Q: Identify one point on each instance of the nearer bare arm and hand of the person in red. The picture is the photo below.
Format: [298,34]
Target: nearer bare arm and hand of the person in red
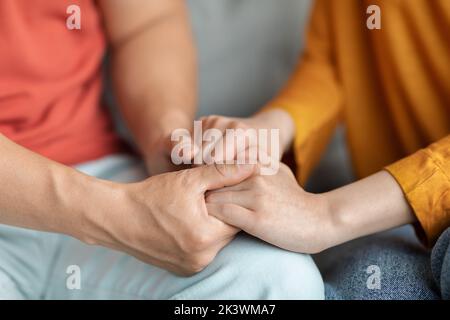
[40,194]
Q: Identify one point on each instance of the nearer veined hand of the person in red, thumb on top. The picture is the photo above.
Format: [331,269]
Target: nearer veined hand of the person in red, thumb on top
[164,221]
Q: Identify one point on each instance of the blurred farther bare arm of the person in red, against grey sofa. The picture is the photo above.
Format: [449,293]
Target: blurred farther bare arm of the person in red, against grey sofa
[154,70]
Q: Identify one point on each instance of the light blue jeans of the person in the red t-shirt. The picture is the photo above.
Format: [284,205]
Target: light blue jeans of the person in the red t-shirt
[38,265]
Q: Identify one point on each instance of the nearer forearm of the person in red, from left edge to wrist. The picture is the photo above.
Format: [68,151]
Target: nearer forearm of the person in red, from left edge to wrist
[40,194]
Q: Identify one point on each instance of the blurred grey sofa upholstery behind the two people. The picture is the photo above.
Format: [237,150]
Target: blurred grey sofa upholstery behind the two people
[247,50]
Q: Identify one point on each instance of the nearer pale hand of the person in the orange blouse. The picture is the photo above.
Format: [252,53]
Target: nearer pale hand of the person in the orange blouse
[275,209]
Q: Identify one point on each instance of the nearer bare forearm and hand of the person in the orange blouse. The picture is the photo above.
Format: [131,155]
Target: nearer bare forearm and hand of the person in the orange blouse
[277,210]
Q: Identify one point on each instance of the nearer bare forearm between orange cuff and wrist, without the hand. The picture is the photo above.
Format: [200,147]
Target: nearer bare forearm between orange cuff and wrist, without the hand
[368,206]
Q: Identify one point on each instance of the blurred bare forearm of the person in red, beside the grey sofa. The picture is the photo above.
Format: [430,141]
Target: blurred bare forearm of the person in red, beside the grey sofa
[154,70]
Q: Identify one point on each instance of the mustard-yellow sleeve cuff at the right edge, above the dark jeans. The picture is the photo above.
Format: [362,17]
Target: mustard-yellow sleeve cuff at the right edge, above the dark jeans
[425,180]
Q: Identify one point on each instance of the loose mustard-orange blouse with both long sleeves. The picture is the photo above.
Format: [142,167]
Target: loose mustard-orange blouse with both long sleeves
[391,87]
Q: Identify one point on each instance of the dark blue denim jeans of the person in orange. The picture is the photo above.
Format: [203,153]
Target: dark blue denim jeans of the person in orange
[389,265]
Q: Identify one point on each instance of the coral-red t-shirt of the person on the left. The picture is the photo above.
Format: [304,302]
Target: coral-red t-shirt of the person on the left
[51,82]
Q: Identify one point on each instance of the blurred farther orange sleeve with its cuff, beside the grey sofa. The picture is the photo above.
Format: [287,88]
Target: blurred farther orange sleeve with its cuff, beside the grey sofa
[312,96]
